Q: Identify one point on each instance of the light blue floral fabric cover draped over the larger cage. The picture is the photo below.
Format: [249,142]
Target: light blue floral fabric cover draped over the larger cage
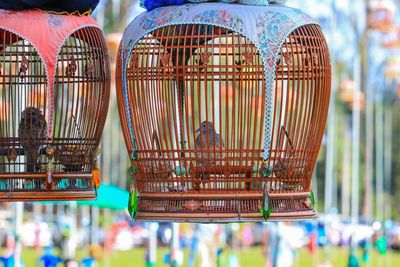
[266,27]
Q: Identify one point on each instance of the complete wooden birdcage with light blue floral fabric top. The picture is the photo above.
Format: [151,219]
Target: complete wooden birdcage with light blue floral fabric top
[223,109]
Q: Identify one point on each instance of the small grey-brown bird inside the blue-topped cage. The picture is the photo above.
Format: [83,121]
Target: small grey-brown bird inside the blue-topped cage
[208,145]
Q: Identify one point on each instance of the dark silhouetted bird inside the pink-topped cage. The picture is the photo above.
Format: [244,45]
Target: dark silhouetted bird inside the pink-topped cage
[32,131]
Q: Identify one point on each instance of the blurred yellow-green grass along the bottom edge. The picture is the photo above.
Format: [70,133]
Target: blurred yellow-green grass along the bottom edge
[249,257]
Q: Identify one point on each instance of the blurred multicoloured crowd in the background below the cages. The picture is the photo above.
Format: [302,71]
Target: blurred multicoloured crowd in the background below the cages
[204,243]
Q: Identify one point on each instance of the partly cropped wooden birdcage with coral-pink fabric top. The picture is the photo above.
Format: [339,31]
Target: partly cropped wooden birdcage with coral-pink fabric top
[54,91]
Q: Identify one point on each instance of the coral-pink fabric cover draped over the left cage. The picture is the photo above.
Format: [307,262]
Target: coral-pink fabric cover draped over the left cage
[47,36]
